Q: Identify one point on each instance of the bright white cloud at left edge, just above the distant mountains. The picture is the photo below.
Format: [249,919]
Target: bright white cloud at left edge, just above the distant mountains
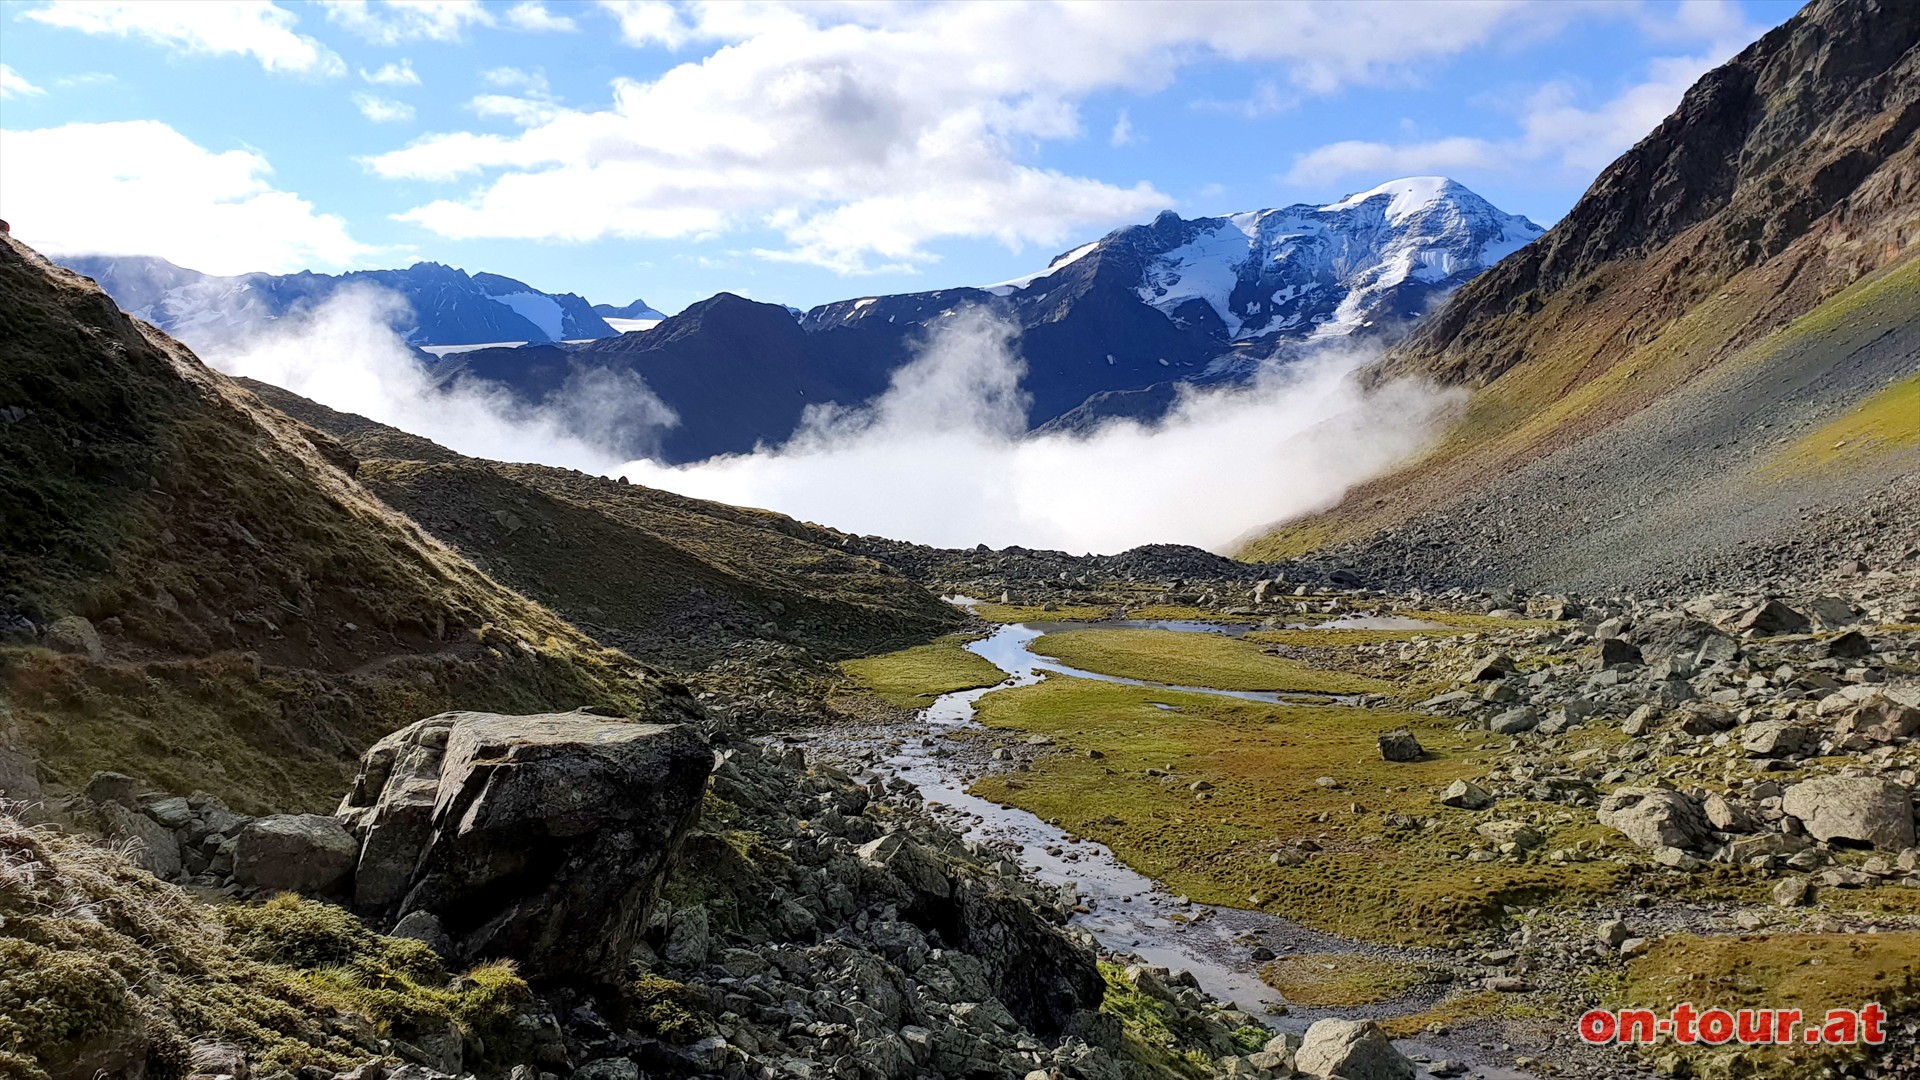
[145,189]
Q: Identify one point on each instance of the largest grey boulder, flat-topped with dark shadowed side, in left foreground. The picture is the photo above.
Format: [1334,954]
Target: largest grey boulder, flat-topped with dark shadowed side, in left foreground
[540,839]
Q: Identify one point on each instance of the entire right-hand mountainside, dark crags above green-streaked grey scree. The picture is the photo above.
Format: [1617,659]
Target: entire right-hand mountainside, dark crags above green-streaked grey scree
[1714,347]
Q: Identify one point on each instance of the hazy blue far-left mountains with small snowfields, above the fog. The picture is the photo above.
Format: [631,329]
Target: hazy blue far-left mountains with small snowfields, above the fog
[444,307]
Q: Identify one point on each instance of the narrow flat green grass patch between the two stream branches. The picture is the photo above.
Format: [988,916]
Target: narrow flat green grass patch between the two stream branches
[1195,660]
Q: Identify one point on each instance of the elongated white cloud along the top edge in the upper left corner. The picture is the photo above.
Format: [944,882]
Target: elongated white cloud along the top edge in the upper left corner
[243,28]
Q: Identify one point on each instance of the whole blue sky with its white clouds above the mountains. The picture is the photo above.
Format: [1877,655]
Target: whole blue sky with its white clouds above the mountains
[792,153]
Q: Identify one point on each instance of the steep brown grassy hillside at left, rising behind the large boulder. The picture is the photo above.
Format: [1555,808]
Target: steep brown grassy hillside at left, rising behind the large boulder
[260,616]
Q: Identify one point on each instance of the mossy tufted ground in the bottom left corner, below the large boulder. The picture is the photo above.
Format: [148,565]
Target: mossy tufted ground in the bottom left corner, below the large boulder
[97,952]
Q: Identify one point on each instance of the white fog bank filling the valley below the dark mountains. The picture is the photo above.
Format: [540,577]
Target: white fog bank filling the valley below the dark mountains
[942,458]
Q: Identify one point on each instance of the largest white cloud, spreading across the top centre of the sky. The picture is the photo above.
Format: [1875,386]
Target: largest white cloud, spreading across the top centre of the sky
[863,134]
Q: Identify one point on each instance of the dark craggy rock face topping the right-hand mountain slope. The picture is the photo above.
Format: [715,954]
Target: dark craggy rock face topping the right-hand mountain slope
[1758,151]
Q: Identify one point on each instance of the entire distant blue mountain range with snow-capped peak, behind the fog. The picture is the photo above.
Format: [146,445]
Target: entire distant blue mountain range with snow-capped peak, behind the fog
[1107,330]
